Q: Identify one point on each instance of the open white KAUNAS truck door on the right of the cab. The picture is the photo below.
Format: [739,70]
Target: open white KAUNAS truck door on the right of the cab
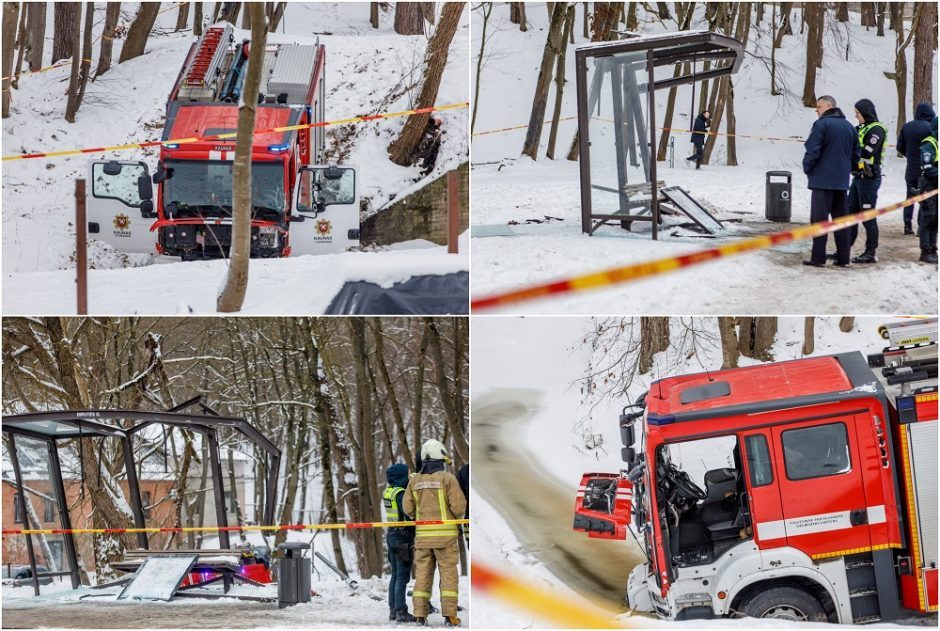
[326,218]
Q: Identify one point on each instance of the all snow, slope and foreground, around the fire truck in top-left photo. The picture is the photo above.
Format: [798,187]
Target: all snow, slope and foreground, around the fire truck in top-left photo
[368,71]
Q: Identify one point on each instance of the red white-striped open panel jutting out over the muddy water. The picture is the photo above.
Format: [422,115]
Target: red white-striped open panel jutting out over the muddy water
[604,505]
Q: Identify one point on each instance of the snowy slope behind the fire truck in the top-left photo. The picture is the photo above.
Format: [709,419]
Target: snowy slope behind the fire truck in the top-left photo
[367,71]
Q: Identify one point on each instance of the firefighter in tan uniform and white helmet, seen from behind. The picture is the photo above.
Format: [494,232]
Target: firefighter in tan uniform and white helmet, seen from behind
[432,495]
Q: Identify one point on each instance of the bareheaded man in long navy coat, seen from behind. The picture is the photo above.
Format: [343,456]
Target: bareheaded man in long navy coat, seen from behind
[832,154]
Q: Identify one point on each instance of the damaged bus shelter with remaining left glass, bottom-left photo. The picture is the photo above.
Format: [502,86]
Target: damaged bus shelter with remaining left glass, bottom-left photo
[45,432]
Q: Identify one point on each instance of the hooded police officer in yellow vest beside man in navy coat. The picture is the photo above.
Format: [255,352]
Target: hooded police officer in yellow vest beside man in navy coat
[866,180]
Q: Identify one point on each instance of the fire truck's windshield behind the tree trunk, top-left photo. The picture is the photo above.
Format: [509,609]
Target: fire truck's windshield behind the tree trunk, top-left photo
[199,188]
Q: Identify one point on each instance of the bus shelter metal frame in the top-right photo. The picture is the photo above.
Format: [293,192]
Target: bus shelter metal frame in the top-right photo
[667,49]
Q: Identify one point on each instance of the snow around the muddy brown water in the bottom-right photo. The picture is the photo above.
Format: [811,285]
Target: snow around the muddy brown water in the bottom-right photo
[562,437]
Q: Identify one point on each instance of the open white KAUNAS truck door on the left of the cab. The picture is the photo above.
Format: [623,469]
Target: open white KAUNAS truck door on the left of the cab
[116,212]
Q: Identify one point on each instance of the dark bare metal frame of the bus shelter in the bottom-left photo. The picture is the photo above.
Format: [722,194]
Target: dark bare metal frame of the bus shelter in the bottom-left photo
[88,423]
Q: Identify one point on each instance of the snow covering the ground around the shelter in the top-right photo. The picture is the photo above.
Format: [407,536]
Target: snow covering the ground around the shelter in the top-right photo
[508,188]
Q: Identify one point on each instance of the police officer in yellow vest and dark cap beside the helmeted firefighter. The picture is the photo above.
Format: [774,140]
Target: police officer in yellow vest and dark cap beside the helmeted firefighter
[399,541]
